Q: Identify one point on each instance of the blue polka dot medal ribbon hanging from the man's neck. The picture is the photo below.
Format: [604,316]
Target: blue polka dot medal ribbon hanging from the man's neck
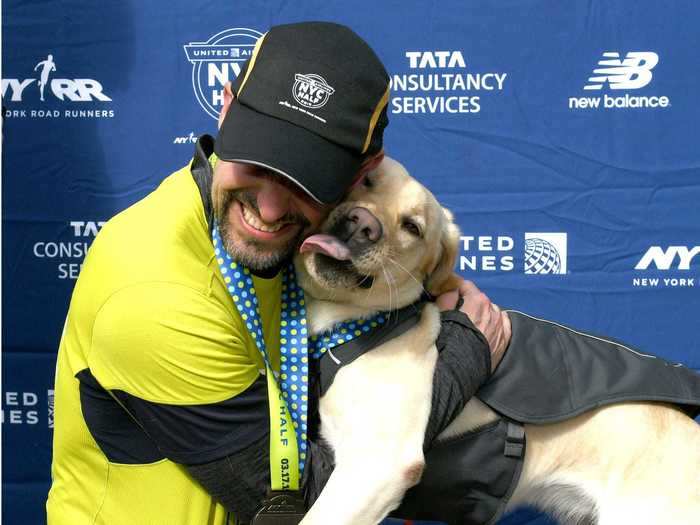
[294,360]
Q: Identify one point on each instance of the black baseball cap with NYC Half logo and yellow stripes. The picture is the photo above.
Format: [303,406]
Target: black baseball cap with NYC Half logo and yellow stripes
[311,104]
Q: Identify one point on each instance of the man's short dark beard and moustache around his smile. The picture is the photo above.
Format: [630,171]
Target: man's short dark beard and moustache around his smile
[253,253]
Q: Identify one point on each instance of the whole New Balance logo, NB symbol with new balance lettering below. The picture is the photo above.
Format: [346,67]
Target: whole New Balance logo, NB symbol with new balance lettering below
[617,73]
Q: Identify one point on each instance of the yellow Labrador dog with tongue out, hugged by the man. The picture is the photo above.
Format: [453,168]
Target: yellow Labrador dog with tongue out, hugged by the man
[638,463]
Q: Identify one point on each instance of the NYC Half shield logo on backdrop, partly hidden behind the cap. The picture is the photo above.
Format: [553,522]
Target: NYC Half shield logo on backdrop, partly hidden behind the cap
[217,61]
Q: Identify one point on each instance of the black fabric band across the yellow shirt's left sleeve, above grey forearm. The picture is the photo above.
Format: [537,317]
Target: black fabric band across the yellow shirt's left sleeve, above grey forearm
[135,431]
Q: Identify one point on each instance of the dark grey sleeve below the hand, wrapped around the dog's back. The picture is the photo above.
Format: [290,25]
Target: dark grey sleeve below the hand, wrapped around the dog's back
[463,365]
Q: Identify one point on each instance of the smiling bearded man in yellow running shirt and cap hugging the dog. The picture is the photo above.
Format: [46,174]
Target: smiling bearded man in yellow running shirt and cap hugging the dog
[161,407]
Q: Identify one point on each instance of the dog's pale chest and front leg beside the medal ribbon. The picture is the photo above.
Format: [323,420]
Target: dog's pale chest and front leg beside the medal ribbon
[374,417]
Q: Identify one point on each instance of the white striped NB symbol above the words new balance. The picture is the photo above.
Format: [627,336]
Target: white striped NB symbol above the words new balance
[633,72]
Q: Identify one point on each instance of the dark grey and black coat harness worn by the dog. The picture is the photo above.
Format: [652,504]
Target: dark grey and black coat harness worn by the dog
[550,373]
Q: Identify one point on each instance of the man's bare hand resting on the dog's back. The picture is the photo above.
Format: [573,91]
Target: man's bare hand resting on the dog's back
[486,316]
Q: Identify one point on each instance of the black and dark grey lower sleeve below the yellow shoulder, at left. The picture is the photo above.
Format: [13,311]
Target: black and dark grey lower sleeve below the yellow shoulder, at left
[224,446]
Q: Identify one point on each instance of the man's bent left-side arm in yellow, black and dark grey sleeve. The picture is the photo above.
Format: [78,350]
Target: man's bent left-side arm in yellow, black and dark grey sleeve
[183,385]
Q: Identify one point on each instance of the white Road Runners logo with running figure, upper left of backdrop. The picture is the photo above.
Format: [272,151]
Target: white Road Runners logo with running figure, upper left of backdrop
[41,96]
